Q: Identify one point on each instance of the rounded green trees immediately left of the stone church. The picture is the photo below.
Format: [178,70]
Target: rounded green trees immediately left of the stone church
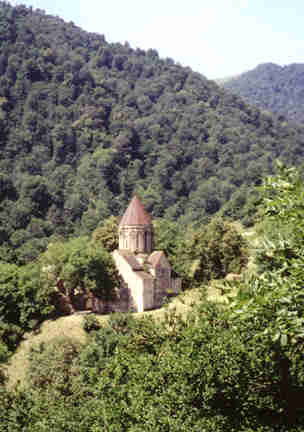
[29,295]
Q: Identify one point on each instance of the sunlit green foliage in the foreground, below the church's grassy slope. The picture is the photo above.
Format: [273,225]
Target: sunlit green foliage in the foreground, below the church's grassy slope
[237,368]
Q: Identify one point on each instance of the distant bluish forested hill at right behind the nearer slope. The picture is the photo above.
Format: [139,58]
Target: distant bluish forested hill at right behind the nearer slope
[279,89]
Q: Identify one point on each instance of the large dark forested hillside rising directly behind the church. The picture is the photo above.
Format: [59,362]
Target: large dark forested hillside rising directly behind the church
[85,123]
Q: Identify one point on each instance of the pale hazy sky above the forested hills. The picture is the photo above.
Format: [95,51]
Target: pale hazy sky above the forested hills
[218,38]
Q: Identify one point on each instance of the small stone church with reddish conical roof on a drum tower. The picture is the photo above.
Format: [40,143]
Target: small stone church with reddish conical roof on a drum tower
[145,274]
